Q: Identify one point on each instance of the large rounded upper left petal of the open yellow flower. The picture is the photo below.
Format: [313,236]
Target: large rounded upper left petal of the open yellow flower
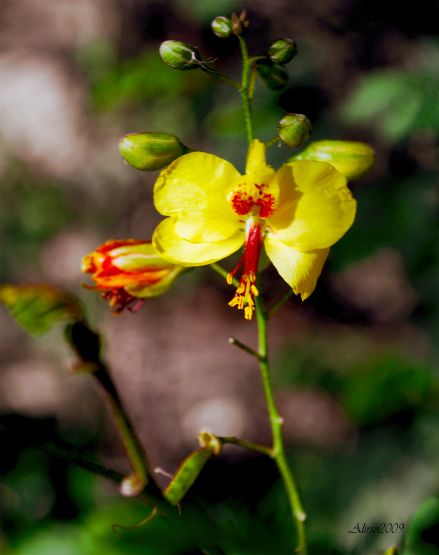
[192,190]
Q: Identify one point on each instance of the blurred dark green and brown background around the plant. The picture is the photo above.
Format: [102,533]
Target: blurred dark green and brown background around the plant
[355,366]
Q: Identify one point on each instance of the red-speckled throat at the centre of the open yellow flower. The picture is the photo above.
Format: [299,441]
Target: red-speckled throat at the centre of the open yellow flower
[247,197]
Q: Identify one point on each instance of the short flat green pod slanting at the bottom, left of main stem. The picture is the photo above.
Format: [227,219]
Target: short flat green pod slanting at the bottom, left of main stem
[186,475]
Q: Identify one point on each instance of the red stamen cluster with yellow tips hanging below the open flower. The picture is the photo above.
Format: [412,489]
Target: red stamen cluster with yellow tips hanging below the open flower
[246,291]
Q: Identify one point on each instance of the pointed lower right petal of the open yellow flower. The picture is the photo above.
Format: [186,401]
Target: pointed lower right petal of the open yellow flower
[299,269]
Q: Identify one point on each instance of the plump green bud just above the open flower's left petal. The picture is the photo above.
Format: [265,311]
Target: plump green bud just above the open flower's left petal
[150,151]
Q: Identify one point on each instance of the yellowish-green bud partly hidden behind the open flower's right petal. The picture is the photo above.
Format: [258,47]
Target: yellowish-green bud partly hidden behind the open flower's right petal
[352,159]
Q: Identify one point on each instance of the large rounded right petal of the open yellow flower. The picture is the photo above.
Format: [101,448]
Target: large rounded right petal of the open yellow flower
[315,207]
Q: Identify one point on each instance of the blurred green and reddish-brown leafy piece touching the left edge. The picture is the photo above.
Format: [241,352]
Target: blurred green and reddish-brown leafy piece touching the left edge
[38,308]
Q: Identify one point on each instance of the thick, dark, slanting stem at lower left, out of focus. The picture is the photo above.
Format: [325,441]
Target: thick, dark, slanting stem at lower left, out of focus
[131,442]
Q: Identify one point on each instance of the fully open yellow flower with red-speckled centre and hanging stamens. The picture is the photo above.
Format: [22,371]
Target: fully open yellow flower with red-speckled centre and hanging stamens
[297,213]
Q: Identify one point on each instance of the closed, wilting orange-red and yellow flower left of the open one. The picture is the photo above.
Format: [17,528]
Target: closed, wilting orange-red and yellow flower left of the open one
[127,271]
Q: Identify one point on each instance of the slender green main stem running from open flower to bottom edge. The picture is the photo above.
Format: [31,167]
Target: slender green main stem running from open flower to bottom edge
[276,421]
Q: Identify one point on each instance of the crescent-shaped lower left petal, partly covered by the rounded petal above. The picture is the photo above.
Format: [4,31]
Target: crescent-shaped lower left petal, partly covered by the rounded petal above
[174,248]
